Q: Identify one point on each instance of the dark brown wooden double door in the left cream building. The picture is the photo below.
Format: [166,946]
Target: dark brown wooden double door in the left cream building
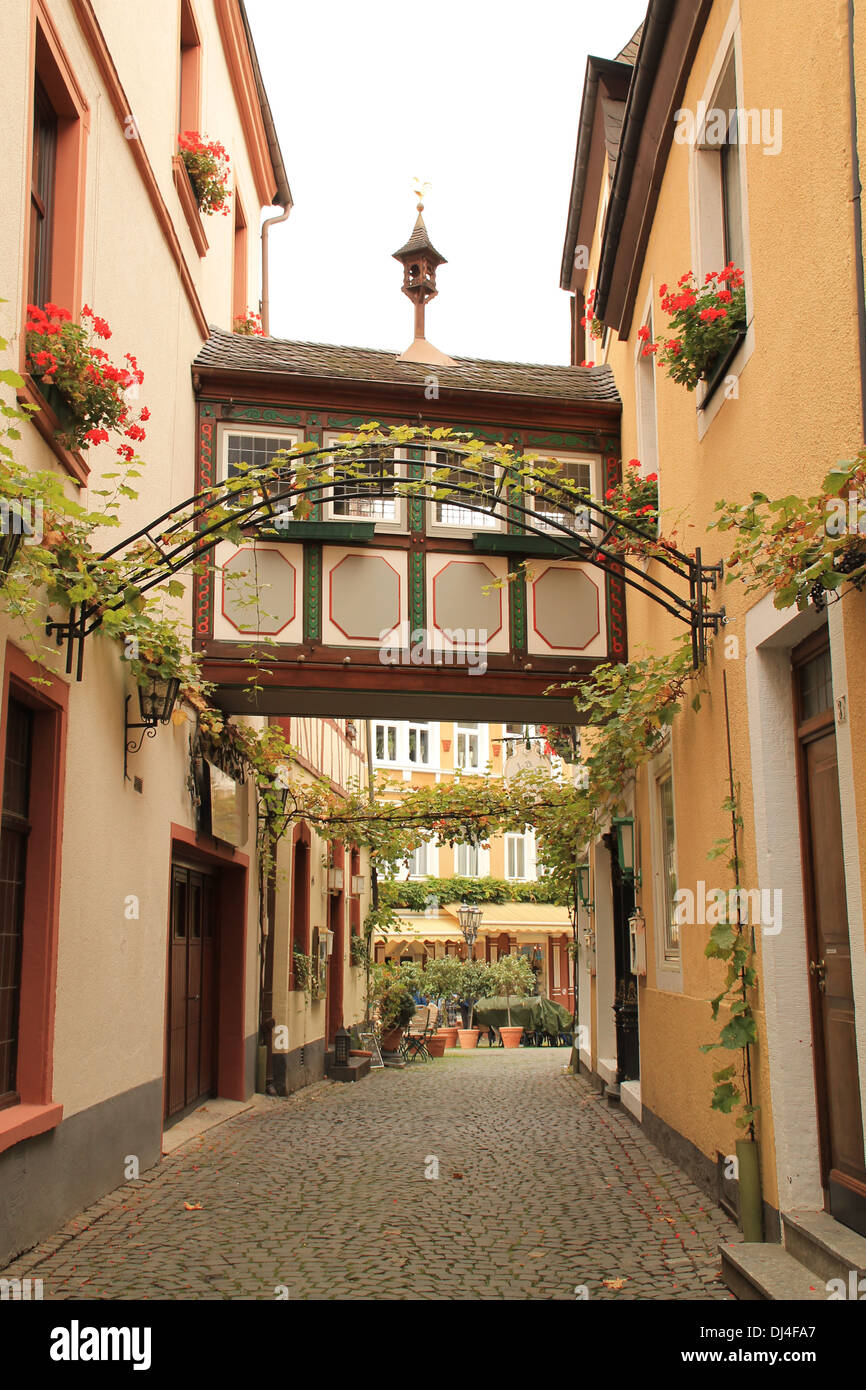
[191,1049]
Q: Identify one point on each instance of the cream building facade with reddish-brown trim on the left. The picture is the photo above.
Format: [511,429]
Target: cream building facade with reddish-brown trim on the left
[133,929]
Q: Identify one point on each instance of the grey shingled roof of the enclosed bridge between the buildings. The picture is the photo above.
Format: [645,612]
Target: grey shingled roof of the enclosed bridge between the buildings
[279,357]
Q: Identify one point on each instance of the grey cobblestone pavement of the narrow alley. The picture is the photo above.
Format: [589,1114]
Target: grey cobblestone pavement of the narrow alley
[541,1189]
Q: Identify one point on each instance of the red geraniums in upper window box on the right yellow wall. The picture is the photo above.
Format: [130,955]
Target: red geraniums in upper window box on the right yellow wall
[705,322]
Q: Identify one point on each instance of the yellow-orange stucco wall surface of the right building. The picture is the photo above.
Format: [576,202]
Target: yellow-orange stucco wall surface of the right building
[797,412]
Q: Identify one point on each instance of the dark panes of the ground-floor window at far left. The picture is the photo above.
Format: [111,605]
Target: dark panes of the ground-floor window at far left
[13,875]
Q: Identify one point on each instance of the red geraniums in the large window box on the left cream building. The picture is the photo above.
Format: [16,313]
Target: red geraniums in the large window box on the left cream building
[84,389]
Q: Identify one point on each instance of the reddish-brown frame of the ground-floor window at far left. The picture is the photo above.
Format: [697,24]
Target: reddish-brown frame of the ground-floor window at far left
[37,1113]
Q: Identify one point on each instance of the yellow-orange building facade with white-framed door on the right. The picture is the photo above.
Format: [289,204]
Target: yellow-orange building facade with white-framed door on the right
[660,193]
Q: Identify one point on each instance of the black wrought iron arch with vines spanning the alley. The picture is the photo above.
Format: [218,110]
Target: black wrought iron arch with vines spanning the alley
[263,501]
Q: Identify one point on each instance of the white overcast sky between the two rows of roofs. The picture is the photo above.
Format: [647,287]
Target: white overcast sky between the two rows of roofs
[482,99]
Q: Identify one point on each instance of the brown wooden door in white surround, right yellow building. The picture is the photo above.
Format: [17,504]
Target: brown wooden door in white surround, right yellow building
[831,982]
